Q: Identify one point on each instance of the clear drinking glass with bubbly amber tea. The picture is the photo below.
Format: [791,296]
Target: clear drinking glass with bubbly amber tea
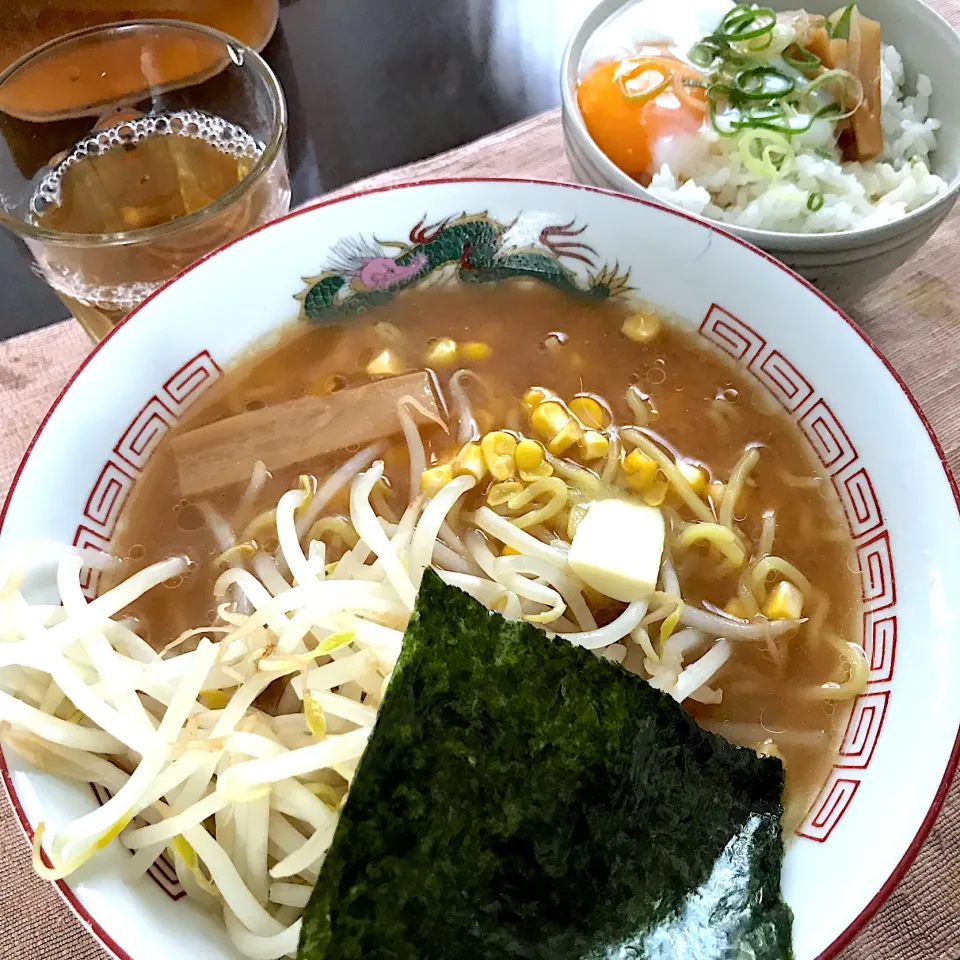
[127,151]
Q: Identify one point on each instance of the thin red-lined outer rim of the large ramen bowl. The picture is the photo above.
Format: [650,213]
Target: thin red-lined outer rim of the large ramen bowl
[857,924]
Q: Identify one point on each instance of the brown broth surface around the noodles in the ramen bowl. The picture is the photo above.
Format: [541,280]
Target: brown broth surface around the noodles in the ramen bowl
[539,336]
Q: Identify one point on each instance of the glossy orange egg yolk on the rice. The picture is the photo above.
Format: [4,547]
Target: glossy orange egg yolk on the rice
[627,112]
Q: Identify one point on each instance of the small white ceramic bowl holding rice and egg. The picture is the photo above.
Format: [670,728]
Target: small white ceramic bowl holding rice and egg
[841,264]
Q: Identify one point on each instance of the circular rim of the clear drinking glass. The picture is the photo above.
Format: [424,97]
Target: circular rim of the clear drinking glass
[271,149]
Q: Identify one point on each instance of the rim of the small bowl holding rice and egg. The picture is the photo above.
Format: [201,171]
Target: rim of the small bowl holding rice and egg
[575,126]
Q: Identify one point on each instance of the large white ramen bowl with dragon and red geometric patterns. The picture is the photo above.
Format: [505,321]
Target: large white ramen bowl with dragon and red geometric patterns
[900,749]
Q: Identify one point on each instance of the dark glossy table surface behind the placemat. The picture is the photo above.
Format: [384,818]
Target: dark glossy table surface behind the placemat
[370,85]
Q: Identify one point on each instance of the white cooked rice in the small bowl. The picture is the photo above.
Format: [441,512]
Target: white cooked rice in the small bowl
[705,175]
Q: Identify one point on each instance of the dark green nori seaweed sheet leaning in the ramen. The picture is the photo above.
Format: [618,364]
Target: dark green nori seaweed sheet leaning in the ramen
[521,798]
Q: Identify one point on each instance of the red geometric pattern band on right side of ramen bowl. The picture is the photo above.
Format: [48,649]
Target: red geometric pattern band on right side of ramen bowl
[841,462]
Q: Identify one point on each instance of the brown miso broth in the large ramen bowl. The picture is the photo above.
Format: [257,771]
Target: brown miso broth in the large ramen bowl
[515,337]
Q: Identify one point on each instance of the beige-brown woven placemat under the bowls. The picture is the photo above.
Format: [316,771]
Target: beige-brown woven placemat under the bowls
[914,317]
